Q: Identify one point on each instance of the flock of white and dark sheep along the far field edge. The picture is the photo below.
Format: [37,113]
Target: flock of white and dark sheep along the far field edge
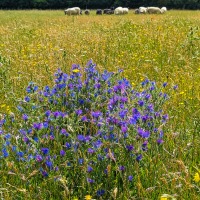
[117,11]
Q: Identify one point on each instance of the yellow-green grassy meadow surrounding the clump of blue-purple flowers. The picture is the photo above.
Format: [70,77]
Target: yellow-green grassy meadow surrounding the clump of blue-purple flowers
[161,48]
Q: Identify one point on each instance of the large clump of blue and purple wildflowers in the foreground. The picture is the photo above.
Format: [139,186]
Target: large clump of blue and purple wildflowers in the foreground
[90,127]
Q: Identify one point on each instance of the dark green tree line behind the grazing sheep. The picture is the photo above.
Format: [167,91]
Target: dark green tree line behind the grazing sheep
[94,4]
